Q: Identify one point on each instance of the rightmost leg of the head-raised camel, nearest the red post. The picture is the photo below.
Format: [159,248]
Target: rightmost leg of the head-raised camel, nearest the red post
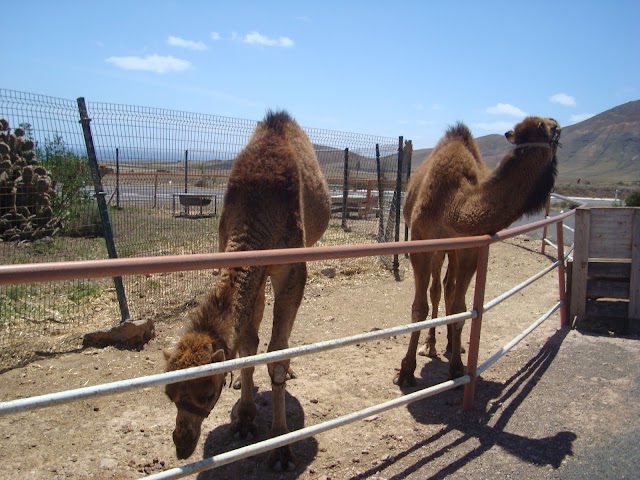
[466,267]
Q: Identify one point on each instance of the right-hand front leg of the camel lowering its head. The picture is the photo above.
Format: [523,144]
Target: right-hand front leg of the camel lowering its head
[288,288]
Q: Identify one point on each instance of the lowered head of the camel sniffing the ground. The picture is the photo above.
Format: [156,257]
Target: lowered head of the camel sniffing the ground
[194,398]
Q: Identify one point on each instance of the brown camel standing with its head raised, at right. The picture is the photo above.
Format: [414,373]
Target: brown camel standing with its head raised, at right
[453,194]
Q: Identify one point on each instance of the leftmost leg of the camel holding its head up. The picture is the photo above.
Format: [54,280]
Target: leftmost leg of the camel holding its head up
[421,263]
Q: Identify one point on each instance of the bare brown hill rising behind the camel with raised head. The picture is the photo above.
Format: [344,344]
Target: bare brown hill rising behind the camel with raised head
[605,149]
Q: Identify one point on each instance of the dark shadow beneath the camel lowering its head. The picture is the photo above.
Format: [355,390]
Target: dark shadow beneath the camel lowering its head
[220,440]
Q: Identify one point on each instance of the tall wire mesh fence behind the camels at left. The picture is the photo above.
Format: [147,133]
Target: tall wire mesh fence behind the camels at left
[161,175]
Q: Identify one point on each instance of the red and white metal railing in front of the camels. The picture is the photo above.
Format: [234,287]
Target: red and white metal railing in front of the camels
[28,273]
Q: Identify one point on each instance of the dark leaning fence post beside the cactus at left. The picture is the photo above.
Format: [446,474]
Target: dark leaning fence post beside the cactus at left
[102,204]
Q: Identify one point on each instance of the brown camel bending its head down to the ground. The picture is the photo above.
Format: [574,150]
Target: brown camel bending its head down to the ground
[276,197]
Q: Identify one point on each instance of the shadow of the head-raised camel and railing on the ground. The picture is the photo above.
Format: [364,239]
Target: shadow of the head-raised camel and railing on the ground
[493,401]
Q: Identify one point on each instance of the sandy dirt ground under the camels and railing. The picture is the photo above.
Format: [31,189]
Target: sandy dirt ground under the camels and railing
[561,404]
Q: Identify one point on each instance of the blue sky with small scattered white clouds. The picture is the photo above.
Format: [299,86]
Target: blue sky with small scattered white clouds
[406,68]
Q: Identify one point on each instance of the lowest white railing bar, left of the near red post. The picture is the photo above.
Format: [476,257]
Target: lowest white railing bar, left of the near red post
[306,432]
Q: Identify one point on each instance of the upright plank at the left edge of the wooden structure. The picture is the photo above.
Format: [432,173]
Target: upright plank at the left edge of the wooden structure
[580,265]
